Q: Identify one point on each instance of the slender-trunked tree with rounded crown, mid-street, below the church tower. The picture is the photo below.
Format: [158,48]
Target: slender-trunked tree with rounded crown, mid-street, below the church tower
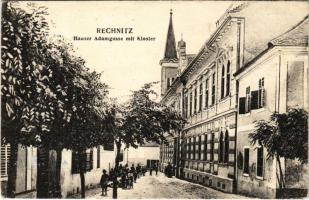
[142,119]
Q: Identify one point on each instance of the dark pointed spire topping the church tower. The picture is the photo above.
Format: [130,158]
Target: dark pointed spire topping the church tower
[170,46]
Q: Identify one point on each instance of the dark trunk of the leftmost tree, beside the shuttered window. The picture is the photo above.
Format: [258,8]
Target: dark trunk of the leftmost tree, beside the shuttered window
[11,185]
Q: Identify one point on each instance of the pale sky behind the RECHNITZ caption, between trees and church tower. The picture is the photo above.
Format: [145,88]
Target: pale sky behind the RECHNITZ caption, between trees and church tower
[127,65]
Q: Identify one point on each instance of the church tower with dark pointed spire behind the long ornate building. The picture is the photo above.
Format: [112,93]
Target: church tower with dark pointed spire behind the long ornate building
[169,64]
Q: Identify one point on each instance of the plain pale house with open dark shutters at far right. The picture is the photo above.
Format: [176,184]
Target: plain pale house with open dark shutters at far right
[276,80]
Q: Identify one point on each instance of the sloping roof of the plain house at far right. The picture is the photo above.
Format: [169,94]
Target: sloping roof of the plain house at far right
[296,36]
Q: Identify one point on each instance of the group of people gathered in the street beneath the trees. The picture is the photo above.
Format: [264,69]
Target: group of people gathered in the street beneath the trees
[127,175]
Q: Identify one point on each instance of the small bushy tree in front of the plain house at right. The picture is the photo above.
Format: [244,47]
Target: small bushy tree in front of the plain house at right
[285,135]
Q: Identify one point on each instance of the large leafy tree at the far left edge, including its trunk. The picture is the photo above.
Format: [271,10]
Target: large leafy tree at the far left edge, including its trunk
[21,77]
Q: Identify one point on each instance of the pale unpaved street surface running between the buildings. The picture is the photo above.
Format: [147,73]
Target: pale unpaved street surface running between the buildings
[163,187]
